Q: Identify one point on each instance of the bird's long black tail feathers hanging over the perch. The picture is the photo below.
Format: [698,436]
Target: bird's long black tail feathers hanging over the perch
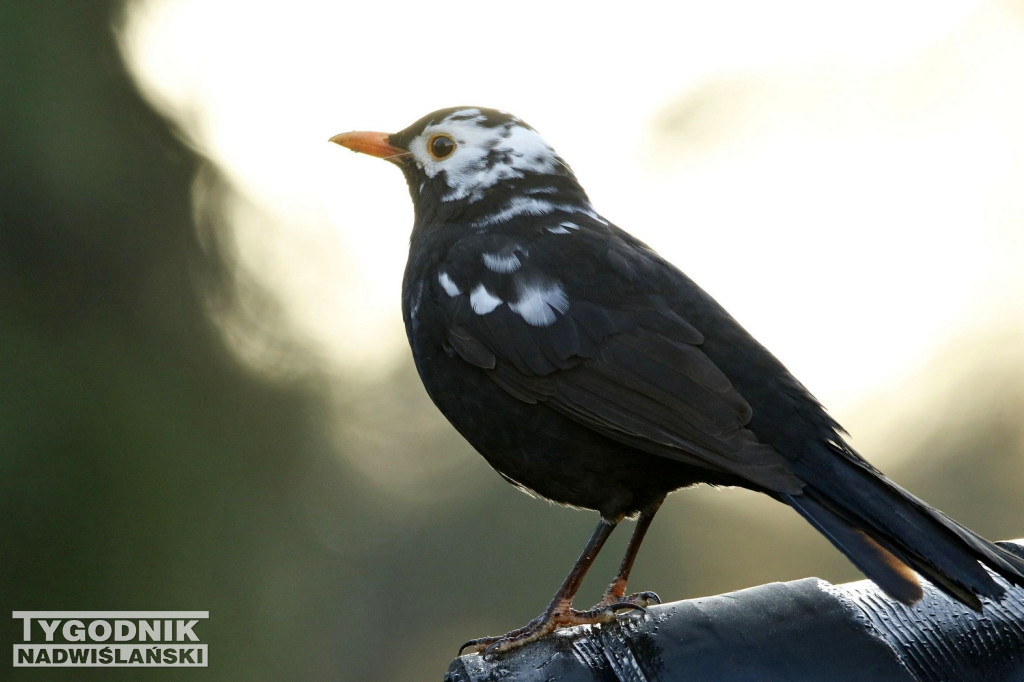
[885,532]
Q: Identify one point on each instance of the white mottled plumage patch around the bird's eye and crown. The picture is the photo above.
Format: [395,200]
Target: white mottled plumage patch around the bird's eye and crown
[484,155]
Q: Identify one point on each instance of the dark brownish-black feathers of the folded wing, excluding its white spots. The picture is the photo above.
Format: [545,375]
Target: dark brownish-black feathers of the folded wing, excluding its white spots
[631,368]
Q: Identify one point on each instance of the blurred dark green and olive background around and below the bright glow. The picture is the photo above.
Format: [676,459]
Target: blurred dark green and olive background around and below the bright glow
[146,466]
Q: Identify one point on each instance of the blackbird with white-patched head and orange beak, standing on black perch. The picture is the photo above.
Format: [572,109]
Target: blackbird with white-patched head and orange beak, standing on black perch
[588,370]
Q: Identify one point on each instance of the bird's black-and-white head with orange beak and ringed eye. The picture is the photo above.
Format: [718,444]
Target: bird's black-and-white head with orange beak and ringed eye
[466,163]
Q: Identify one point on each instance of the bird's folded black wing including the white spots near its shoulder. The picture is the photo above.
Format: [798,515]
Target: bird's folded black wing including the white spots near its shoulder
[584,327]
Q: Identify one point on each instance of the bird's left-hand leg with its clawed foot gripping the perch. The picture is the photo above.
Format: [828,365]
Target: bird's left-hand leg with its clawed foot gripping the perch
[560,613]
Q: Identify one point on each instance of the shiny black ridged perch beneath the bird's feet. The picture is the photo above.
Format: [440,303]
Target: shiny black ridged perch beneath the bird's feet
[804,630]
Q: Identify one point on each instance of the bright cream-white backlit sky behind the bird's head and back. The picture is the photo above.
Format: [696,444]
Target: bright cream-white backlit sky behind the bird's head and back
[844,178]
